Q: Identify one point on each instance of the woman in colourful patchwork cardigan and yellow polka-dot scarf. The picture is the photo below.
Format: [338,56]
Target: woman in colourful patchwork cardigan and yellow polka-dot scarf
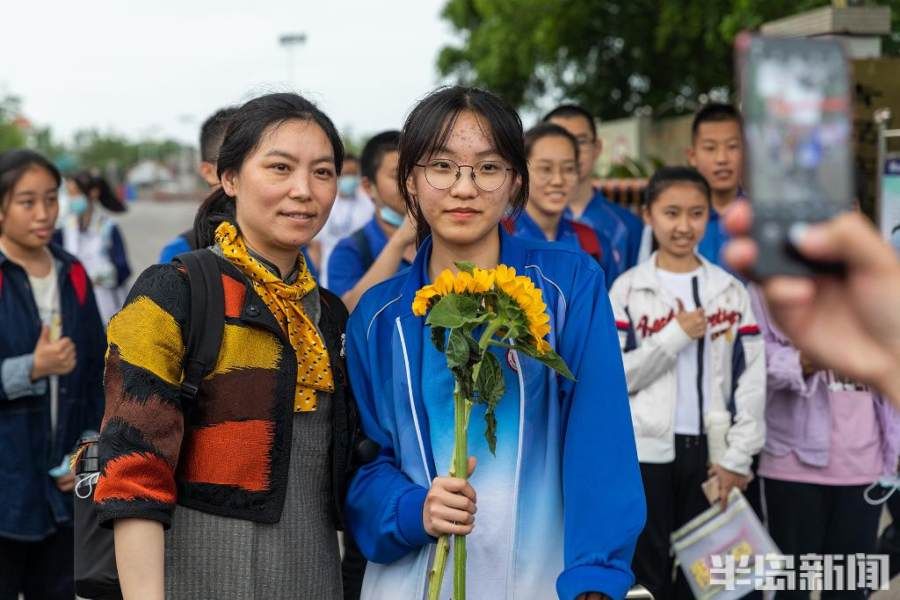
[257,462]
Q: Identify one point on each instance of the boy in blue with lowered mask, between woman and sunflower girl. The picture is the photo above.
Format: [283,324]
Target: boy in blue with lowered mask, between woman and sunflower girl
[386,243]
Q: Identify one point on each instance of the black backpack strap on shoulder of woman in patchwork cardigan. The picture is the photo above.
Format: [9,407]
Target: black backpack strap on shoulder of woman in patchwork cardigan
[207,319]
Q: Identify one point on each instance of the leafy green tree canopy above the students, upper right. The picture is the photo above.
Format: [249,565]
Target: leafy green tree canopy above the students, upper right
[613,56]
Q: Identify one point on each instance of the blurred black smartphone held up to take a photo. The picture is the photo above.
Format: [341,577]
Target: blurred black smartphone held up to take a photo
[795,98]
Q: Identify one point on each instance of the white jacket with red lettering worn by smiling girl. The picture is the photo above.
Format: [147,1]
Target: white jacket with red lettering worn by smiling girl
[733,352]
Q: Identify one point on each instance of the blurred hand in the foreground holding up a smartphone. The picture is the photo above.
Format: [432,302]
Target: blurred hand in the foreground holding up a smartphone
[815,312]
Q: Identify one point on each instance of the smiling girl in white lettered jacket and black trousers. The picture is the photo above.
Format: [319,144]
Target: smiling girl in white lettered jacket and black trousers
[695,369]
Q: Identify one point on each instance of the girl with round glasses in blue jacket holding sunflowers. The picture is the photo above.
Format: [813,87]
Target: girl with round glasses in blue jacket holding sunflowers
[560,505]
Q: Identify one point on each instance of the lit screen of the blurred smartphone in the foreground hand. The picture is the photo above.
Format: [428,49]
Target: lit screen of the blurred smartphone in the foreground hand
[796,99]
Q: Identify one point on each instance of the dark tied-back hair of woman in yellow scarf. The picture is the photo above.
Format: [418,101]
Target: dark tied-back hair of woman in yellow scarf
[245,130]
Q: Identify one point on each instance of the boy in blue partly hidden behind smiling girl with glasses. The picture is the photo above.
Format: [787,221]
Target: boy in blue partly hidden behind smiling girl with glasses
[617,224]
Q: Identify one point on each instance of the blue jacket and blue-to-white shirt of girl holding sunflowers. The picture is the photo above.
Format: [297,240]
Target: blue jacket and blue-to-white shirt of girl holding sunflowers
[577,502]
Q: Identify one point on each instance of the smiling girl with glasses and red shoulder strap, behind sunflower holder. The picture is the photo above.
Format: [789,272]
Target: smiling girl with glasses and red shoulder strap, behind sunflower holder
[552,154]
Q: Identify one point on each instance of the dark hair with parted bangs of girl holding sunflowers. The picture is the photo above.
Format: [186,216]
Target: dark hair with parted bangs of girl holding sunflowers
[429,125]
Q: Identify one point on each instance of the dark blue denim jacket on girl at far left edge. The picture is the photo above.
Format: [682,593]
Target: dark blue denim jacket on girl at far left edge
[31,506]
